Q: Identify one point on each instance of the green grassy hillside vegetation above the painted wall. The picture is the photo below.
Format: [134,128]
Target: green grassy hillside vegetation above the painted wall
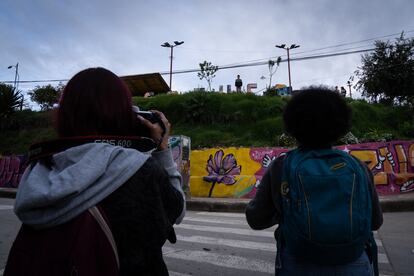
[213,119]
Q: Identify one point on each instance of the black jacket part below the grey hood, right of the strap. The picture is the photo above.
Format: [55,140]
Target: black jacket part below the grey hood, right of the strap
[142,213]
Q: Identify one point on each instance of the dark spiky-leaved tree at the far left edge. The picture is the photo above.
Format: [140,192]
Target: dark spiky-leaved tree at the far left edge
[10,100]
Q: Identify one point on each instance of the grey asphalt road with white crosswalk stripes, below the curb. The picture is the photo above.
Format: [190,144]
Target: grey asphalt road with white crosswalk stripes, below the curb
[223,244]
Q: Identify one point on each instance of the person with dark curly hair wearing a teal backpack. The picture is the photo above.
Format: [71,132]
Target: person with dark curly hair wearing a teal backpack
[323,199]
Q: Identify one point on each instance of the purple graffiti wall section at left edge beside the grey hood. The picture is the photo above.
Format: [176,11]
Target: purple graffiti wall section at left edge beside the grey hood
[11,170]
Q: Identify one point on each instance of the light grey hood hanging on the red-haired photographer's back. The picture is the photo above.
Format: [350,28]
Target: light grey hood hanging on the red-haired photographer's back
[79,178]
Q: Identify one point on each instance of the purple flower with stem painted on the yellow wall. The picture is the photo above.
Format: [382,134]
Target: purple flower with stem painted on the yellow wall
[221,170]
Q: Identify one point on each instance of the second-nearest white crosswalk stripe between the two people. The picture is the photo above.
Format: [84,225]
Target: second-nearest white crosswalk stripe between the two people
[229,242]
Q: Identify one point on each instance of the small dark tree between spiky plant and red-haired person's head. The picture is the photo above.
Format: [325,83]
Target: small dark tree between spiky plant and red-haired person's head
[46,96]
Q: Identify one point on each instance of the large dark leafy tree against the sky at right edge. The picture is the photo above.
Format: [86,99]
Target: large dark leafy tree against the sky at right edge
[387,74]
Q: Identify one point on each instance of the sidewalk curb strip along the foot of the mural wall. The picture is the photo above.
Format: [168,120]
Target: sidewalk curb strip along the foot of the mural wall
[391,203]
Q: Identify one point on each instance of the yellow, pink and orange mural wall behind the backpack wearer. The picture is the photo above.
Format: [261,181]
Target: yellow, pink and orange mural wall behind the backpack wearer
[392,164]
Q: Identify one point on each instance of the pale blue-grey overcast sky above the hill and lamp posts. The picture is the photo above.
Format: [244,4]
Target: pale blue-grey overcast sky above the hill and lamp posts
[56,39]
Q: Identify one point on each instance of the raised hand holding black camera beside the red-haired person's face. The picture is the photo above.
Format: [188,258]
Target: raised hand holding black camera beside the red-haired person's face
[156,126]
